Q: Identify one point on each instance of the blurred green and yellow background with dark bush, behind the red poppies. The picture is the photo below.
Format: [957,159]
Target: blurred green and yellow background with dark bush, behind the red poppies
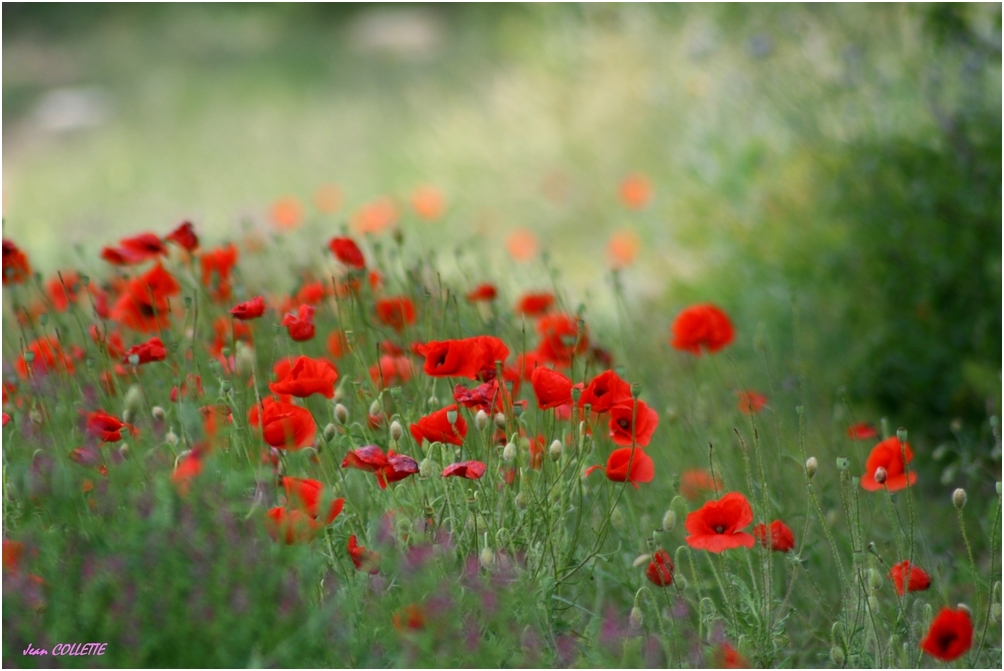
[843,162]
